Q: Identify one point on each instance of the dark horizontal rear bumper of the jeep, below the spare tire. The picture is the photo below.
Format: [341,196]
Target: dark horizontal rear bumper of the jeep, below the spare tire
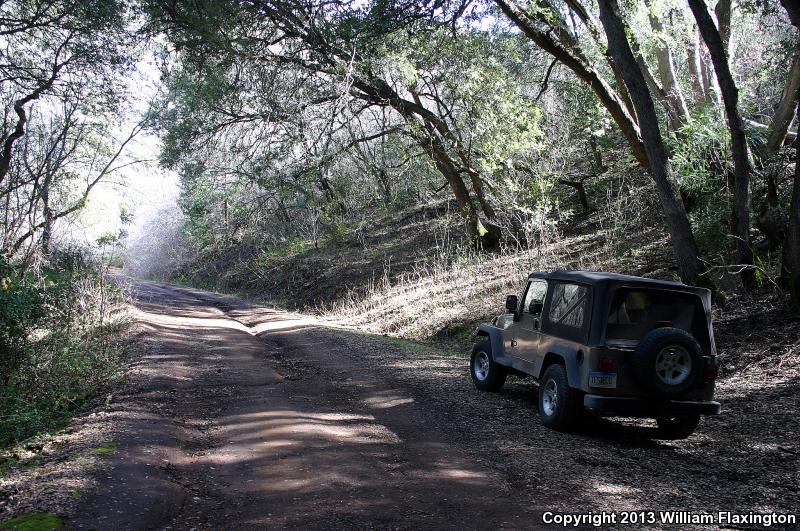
[644,407]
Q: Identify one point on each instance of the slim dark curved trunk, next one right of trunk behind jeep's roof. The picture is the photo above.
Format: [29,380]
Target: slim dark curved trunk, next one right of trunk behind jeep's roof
[741,164]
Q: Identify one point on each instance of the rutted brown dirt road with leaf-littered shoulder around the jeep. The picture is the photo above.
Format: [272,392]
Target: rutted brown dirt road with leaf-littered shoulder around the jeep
[244,418]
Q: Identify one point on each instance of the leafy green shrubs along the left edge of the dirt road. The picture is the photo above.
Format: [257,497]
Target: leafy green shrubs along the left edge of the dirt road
[59,335]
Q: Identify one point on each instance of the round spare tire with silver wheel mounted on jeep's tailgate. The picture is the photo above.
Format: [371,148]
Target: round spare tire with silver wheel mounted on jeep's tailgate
[667,361]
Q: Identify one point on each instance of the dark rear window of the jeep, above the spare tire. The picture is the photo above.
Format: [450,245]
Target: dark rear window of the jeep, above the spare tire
[635,312]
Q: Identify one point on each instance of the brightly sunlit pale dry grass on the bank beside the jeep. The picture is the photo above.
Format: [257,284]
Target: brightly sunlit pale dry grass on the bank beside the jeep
[446,295]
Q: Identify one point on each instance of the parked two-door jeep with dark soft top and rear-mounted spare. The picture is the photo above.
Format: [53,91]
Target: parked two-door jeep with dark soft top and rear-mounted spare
[615,345]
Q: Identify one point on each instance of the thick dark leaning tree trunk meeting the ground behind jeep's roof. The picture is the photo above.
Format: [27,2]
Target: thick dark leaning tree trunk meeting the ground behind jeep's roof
[687,254]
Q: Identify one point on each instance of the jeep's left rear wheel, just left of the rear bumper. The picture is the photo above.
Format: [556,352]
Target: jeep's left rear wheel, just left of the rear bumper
[560,406]
